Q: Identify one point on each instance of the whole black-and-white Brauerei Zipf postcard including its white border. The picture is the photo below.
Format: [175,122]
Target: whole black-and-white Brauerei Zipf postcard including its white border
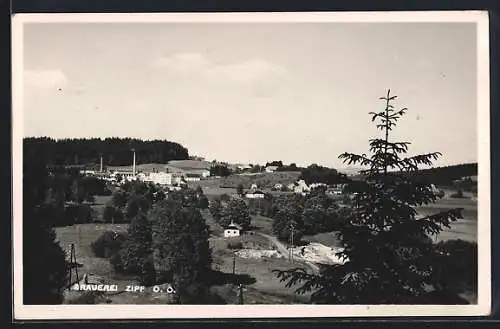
[251,165]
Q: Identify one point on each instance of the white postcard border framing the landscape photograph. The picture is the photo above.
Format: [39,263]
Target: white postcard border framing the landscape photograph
[77,312]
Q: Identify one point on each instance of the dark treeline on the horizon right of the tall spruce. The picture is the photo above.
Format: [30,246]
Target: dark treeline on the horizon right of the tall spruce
[444,176]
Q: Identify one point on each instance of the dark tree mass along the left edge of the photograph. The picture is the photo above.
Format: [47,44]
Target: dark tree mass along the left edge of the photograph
[44,261]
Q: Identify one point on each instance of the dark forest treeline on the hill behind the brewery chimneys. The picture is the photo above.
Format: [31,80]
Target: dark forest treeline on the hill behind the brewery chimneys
[115,151]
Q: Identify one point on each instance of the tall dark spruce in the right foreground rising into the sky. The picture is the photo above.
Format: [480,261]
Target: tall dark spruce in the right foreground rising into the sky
[387,251]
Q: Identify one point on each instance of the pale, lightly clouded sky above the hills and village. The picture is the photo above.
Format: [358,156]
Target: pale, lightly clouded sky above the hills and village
[255,92]
